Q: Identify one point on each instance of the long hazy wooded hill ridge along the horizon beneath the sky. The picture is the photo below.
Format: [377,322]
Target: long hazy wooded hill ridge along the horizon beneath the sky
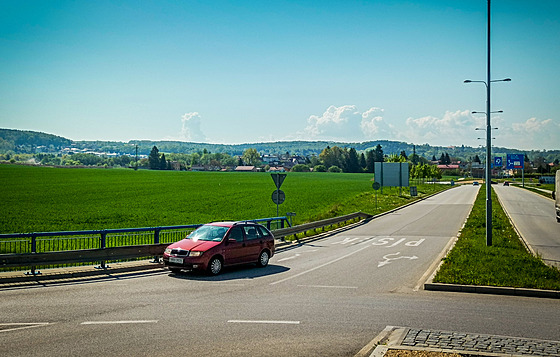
[29,142]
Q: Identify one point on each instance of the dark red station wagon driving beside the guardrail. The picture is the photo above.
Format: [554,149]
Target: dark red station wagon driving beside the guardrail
[216,245]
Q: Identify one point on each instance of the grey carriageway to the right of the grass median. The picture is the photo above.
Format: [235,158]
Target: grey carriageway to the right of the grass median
[535,218]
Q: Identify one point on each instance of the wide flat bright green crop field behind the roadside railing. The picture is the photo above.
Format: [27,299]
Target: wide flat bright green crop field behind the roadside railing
[43,199]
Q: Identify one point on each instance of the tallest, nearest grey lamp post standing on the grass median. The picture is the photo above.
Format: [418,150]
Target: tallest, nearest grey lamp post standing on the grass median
[488,136]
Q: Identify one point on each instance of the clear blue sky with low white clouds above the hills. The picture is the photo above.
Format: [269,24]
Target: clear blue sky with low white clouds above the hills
[241,71]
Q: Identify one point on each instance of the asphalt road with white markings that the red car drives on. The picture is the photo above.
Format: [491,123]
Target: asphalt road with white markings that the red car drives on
[328,297]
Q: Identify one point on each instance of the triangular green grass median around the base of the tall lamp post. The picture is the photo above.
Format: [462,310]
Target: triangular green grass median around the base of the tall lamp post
[506,263]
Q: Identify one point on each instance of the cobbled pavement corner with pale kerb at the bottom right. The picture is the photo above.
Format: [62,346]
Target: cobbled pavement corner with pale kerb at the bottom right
[395,341]
